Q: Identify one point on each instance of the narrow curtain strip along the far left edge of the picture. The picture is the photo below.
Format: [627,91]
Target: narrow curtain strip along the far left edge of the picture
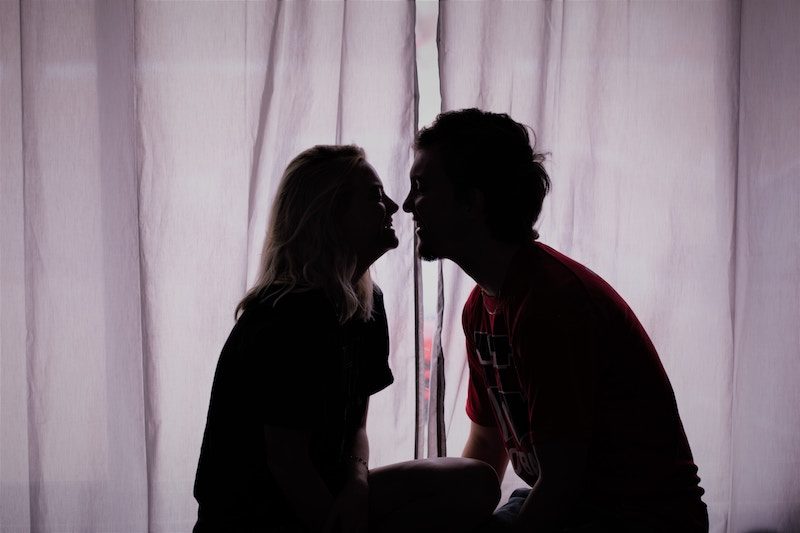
[14,471]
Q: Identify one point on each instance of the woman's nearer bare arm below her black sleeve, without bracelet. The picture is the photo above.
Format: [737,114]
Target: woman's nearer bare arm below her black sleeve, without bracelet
[289,463]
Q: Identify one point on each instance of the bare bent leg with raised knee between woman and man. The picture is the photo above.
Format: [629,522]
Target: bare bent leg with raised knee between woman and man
[438,495]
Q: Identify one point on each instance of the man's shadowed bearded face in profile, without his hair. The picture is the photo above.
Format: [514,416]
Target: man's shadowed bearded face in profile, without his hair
[438,215]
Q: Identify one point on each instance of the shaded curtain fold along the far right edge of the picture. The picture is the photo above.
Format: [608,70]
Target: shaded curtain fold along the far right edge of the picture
[765,440]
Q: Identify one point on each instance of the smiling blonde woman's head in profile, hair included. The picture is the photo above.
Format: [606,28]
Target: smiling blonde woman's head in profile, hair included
[330,221]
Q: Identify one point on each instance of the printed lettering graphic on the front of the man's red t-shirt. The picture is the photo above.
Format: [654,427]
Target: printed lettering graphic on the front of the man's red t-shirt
[508,401]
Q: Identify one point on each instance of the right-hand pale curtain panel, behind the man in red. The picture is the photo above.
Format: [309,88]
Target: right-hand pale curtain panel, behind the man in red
[674,133]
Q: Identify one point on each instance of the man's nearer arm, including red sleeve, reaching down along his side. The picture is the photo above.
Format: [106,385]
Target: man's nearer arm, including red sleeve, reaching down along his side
[560,405]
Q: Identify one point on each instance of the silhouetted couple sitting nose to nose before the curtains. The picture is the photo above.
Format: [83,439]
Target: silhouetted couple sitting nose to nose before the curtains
[564,382]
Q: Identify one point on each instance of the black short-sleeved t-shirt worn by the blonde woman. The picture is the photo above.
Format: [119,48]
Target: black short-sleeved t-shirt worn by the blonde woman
[287,363]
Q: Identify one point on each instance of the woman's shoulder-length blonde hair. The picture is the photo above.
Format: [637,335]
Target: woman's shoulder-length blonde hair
[303,248]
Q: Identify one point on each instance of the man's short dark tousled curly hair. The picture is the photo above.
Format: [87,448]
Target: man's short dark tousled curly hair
[492,153]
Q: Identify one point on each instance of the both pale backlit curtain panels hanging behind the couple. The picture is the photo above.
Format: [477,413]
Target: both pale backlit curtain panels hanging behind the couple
[141,143]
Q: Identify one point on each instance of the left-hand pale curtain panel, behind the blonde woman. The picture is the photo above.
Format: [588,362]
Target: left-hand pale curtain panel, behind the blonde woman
[141,145]
